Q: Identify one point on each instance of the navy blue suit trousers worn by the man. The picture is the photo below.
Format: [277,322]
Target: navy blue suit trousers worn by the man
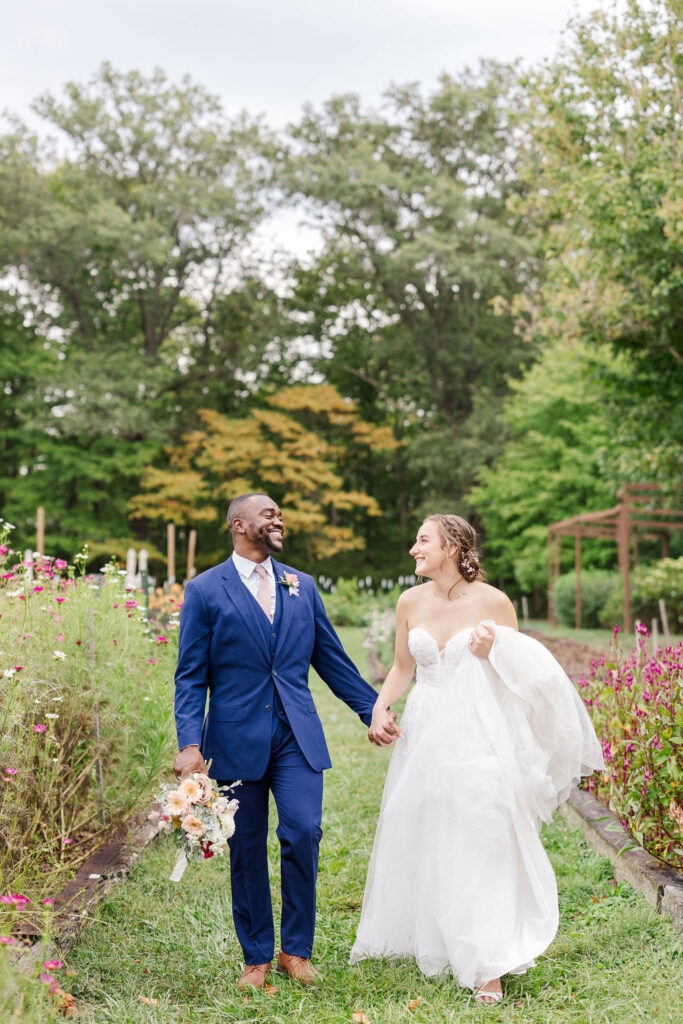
[298,794]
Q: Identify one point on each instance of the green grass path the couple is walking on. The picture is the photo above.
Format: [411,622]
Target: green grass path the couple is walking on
[614,960]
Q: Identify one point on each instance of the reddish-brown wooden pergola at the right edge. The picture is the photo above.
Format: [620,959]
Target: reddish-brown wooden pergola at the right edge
[637,510]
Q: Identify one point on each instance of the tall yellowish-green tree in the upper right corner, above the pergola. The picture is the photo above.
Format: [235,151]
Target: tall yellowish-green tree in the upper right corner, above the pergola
[605,189]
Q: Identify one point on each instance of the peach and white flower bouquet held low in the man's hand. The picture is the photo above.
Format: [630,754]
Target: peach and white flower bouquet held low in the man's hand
[200,819]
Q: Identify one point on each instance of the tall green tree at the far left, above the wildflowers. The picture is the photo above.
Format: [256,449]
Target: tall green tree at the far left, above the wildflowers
[125,250]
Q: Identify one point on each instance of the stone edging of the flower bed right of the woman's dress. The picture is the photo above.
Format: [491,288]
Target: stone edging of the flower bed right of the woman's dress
[662,886]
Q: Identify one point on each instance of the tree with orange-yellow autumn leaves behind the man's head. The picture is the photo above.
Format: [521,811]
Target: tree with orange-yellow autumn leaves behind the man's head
[307,447]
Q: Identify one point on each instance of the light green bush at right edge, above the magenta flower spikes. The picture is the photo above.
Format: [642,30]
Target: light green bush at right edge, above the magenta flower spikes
[649,584]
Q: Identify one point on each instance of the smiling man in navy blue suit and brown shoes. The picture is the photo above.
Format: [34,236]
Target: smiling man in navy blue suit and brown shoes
[249,631]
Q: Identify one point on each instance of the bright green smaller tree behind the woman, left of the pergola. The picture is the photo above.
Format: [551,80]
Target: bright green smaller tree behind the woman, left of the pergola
[561,433]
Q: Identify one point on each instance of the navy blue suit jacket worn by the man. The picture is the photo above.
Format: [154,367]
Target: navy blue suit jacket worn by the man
[229,652]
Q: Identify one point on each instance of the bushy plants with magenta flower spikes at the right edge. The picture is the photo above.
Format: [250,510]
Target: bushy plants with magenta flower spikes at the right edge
[636,704]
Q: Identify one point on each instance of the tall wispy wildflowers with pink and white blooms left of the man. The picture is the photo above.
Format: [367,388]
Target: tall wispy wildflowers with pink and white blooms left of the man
[86,713]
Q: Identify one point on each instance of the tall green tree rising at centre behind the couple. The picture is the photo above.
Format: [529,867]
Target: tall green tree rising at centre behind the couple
[420,249]
